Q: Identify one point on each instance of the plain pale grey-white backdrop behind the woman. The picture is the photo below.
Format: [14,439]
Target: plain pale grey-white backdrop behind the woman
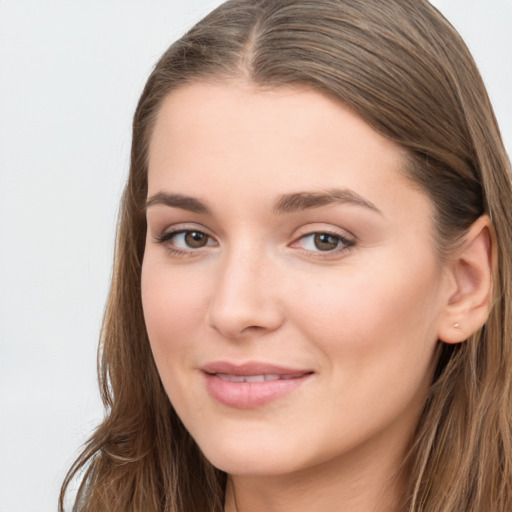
[70,75]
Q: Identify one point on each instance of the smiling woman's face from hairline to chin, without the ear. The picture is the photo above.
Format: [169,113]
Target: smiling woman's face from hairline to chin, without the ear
[291,289]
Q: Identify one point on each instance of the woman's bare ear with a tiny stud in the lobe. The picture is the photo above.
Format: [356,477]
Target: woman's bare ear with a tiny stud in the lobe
[470,277]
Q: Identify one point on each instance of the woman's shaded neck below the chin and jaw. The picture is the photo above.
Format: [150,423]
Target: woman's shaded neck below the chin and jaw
[357,485]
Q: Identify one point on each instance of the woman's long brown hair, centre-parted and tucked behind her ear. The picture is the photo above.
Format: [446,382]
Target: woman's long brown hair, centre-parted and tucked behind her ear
[404,69]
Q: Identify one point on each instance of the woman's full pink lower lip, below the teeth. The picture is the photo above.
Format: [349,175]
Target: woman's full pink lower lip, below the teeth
[248,395]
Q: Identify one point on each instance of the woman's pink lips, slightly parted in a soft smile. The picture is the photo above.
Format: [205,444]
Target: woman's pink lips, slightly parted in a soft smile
[251,385]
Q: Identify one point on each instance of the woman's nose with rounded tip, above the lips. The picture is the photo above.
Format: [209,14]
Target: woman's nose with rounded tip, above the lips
[245,299]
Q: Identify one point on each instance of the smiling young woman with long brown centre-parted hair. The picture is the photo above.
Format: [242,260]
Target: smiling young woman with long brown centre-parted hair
[311,299]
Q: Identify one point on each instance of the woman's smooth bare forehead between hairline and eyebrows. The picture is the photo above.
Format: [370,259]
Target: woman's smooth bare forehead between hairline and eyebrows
[233,136]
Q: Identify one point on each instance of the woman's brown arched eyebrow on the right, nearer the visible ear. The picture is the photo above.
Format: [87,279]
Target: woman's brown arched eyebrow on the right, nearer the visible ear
[298,201]
